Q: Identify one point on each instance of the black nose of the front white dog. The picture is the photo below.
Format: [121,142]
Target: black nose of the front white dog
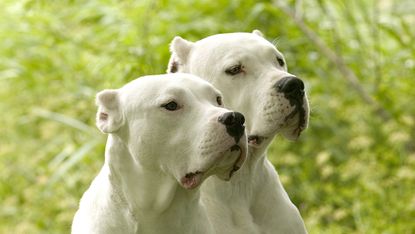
[234,122]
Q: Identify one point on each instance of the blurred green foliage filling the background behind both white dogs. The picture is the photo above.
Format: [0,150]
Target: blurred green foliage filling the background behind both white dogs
[352,171]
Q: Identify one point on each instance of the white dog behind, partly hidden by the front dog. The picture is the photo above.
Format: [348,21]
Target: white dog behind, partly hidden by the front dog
[252,75]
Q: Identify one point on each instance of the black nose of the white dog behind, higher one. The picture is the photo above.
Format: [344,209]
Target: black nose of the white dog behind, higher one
[291,86]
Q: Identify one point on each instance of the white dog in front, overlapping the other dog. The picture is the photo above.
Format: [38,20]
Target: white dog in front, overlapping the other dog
[167,134]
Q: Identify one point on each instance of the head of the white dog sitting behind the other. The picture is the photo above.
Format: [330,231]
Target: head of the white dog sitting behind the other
[252,75]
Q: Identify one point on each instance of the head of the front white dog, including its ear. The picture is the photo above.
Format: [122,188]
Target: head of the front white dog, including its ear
[176,124]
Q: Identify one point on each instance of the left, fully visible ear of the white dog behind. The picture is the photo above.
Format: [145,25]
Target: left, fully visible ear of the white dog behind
[180,49]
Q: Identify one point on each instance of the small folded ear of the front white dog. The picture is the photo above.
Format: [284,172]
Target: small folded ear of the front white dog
[109,116]
